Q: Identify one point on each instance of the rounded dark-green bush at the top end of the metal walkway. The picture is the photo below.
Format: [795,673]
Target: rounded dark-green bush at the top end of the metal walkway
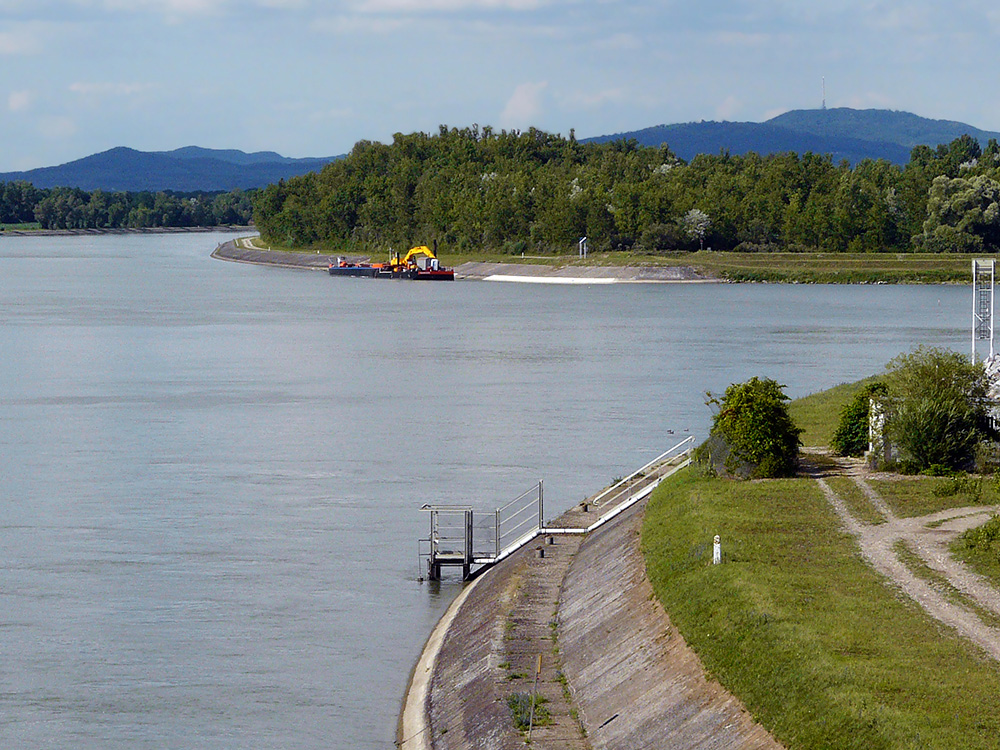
[752,434]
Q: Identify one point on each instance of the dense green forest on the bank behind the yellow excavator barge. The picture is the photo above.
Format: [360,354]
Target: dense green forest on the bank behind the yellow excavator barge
[475,189]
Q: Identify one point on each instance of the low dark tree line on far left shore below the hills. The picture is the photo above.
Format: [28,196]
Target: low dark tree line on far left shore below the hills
[72,208]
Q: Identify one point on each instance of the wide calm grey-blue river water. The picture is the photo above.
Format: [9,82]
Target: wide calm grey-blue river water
[210,472]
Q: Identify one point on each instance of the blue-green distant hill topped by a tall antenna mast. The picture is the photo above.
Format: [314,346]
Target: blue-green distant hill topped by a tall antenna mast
[843,133]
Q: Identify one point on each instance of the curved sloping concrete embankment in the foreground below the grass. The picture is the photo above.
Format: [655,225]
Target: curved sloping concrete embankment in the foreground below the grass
[614,672]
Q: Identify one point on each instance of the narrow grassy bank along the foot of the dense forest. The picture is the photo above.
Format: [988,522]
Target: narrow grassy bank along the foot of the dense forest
[817,268]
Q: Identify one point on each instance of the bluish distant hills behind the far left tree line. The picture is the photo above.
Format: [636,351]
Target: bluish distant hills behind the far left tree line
[188,169]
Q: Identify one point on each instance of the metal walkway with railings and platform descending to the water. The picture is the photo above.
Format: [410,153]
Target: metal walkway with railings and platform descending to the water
[453,541]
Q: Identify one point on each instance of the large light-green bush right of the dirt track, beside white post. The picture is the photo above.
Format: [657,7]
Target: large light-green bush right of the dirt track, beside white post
[938,409]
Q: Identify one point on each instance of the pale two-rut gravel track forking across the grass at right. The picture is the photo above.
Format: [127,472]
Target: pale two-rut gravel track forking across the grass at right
[928,537]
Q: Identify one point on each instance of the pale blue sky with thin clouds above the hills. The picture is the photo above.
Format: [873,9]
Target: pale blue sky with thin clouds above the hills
[313,77]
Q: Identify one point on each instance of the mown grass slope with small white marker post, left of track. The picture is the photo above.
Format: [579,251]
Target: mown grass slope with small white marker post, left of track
[820,650]
